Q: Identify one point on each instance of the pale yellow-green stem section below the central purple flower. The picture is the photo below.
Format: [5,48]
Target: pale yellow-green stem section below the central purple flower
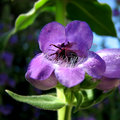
[65,112]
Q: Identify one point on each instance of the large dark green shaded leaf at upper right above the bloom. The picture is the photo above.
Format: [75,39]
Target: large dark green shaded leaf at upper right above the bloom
[97,15]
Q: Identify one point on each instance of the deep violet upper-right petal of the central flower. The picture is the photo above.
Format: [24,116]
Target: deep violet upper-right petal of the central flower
[80,34]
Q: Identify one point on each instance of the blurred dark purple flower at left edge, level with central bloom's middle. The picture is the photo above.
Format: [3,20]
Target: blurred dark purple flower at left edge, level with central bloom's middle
[7,57]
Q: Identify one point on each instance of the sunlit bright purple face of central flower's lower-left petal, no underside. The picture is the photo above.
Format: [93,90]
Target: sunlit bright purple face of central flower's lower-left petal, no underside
[40,68]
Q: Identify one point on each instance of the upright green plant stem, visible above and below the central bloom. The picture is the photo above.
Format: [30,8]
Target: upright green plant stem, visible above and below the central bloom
[65,112]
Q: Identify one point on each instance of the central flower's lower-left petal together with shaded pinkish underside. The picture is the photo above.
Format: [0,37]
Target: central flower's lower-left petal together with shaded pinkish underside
[39,73]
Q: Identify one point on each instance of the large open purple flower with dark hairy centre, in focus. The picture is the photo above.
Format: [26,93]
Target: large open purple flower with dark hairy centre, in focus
[66,56]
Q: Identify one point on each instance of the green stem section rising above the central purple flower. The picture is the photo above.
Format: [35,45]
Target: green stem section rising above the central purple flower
[60,11]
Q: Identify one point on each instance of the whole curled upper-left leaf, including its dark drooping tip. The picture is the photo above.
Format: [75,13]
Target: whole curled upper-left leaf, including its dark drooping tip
[23,21]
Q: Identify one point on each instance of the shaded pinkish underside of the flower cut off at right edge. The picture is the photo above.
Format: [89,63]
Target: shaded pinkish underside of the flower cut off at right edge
[107,84]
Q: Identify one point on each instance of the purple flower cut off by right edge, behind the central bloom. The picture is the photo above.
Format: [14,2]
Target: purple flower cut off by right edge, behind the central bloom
[111,77]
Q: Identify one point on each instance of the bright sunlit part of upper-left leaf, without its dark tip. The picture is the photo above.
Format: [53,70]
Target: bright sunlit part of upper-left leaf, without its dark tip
[25,20]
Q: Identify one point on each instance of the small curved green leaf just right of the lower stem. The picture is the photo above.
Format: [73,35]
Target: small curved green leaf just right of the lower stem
[79,98]
